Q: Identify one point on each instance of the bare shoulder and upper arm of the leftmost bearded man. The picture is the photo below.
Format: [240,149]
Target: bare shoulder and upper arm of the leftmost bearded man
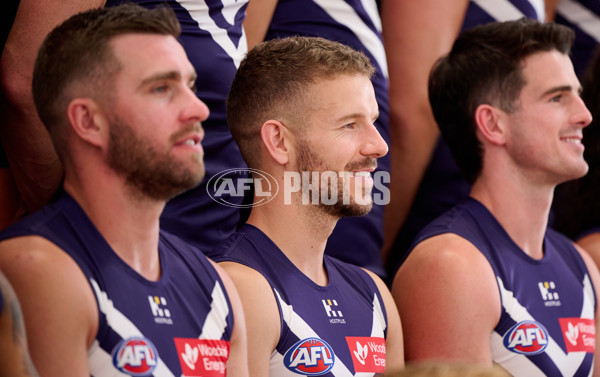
[59,308]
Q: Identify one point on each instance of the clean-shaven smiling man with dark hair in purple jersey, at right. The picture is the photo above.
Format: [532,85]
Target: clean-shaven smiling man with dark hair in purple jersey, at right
[488,282]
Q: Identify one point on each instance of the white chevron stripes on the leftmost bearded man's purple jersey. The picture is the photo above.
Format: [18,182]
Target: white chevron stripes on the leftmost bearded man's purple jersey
[100,361]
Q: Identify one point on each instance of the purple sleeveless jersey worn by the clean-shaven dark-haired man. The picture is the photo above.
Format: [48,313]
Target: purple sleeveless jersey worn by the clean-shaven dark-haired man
[547,325]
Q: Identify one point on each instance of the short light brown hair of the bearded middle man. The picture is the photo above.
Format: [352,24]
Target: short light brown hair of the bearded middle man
[274,82]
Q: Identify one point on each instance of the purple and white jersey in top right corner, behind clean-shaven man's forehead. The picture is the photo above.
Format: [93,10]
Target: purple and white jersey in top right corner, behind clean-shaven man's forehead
[583,16]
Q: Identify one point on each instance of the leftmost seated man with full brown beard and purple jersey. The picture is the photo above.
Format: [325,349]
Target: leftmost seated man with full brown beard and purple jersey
[104,291]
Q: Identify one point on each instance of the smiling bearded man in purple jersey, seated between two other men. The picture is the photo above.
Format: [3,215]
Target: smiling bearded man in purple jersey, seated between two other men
[305,107]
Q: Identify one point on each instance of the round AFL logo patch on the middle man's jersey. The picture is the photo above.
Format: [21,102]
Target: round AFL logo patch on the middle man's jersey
[310,357]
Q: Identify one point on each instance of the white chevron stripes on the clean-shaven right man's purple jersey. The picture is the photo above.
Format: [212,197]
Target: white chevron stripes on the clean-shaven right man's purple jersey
[520,364]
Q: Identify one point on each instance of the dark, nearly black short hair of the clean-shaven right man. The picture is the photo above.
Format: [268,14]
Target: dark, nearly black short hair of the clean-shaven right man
[485,66]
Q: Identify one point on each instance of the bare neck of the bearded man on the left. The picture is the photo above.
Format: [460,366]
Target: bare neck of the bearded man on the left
[129,224]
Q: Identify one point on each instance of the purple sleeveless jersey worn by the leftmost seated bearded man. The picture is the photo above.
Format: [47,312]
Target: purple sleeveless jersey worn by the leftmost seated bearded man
[179,325]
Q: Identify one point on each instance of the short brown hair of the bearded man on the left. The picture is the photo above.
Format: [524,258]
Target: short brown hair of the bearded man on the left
[76,59]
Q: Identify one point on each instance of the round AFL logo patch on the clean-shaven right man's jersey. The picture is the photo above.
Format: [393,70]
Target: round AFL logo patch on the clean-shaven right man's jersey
[527,338]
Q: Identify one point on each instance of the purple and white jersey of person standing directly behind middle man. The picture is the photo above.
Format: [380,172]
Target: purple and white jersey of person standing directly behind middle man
[356,23]
